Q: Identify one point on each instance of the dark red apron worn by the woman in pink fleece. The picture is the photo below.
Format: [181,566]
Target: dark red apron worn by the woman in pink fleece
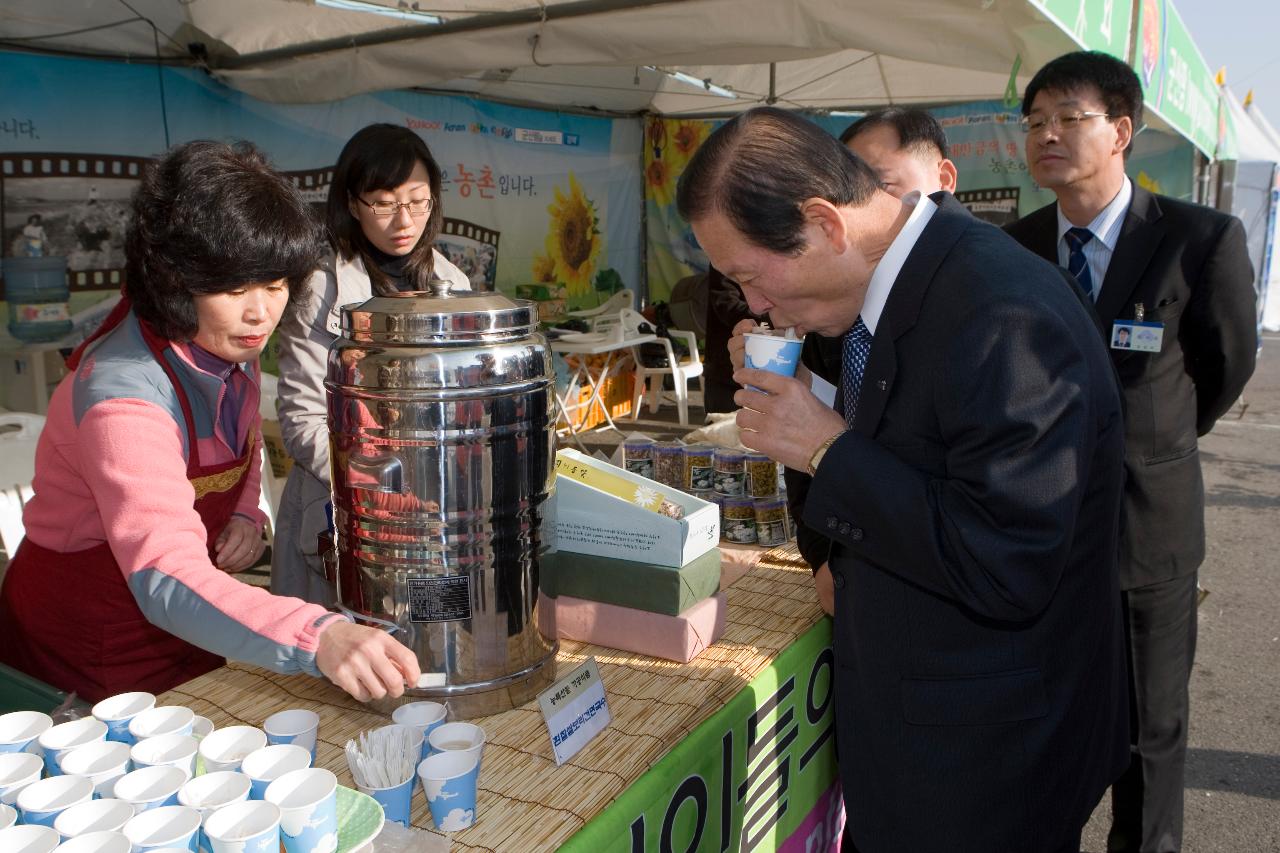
[71,619]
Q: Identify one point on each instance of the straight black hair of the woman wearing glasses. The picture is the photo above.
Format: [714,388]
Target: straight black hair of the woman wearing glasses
[382,157]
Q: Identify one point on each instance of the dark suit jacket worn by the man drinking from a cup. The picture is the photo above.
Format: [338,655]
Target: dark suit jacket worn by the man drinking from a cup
[971,521]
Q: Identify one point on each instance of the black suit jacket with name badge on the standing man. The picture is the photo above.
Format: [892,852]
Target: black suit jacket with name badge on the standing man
[1190,268]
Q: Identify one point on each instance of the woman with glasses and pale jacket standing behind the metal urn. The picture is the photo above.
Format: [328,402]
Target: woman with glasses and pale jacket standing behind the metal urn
[383,217]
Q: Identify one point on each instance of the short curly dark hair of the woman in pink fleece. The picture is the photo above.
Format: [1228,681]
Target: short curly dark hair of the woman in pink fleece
[209,218]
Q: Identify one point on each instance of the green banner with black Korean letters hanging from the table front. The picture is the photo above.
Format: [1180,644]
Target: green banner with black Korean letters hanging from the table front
[758,776]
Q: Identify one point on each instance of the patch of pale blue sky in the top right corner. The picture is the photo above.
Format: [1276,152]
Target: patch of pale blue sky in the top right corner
[1244,35]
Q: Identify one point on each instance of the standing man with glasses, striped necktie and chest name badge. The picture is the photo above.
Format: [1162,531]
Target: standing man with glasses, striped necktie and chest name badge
[1180,276]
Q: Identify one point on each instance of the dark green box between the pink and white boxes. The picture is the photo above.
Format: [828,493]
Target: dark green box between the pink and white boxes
[643,586]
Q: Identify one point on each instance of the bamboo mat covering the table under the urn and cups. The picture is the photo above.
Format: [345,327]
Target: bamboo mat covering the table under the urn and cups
[525,801]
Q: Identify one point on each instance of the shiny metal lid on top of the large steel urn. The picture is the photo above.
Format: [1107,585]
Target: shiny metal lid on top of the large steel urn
[440,316]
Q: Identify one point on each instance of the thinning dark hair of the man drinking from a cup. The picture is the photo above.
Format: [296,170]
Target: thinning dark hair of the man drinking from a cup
[761,167]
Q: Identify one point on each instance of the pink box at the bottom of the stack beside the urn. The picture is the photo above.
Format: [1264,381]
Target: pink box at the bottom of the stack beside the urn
[674,638]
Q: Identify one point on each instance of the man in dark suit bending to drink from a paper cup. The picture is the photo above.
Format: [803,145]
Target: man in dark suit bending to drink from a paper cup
[966,496]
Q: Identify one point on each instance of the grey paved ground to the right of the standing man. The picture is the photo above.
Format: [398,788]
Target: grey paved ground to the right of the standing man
[1233,768]
